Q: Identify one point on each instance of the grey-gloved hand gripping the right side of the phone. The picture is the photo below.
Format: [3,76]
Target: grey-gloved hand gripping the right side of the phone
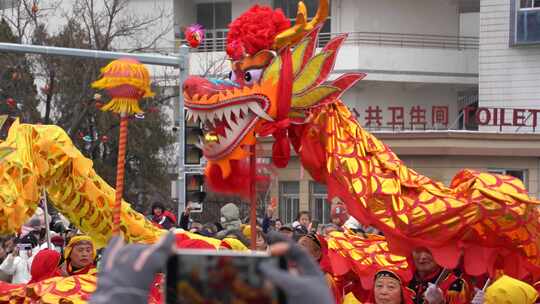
[312,282]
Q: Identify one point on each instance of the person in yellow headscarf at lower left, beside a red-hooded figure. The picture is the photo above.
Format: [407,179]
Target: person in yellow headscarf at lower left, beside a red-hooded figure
[79,256]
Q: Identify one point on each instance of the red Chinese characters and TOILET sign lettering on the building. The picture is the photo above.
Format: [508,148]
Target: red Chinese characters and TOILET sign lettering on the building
[416,117]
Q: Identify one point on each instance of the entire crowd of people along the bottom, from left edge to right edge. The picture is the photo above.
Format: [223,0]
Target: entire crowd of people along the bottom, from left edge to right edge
[30,257]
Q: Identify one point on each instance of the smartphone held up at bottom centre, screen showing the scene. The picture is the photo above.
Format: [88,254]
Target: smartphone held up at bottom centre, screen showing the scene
[219,277]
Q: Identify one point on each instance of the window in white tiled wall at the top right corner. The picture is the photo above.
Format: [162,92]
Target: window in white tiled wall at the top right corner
[525,22]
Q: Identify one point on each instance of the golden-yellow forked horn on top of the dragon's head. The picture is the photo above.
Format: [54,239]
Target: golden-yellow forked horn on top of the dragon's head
[295,33]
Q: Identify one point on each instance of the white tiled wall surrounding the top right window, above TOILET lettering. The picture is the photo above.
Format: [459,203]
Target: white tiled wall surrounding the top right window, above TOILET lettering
[509,76]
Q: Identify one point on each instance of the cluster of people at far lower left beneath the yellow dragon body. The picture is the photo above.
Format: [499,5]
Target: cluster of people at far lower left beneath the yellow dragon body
[31,256]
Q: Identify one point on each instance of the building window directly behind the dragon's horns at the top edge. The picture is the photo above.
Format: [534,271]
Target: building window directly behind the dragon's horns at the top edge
[290,8]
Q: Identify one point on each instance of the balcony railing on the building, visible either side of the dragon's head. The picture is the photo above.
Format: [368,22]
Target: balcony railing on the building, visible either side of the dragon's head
[216,40]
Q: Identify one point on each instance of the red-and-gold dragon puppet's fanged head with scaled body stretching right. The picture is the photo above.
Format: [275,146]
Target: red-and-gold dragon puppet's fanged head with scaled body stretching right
[279,86]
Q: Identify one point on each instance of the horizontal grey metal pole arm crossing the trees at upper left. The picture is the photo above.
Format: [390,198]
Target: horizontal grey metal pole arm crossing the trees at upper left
[59,51]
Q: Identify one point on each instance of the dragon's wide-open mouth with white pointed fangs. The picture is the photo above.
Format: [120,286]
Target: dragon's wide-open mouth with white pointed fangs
[227,122]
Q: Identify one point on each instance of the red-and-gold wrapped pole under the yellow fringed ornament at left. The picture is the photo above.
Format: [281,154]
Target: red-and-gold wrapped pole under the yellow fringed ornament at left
[120,166]
